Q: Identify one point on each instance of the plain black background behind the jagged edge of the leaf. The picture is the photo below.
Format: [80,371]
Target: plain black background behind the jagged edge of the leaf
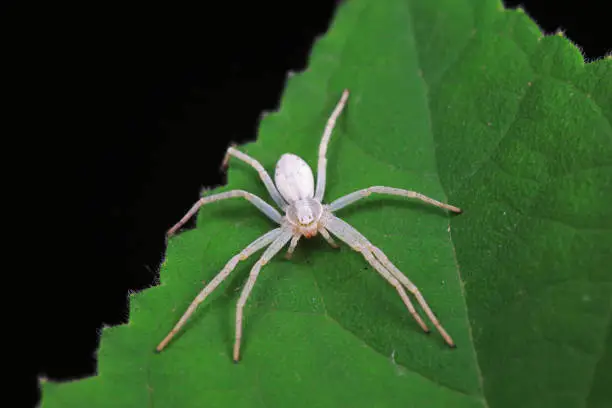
[125,116]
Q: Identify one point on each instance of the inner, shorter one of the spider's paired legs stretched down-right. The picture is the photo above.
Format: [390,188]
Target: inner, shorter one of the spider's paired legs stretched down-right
[348,236]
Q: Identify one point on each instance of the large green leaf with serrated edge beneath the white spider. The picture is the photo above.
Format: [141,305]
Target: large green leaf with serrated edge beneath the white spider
[468,104]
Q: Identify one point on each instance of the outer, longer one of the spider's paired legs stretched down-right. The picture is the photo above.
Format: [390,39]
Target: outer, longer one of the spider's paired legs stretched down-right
[353,237]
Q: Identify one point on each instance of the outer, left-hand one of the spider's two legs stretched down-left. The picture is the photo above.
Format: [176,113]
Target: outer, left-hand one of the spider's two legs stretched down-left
[255,246]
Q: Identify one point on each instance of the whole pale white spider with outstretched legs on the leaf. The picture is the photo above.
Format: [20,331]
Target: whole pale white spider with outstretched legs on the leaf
[305,215]
